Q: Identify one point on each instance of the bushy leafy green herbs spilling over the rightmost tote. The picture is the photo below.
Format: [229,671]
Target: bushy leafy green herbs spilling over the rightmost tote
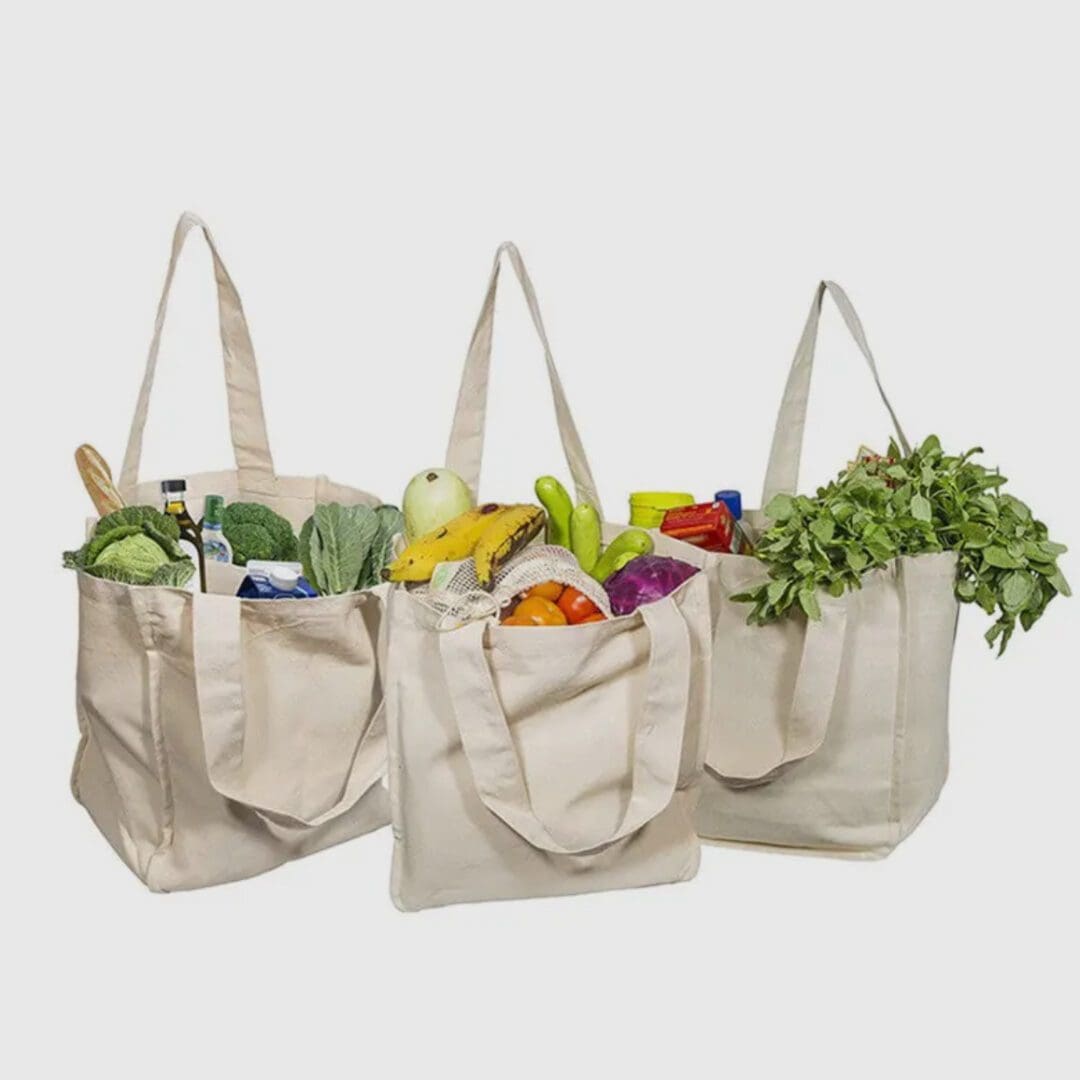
[883,508]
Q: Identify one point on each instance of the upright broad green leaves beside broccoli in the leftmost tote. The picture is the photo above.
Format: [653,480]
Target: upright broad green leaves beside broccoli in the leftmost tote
[343,549]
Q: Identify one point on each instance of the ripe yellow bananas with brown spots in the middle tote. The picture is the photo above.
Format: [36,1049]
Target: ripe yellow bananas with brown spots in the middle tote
[492,534]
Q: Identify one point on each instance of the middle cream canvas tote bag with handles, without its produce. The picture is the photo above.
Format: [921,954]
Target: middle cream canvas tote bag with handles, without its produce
[546,761]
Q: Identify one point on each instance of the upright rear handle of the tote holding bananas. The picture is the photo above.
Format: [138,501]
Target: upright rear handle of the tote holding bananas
[466,450]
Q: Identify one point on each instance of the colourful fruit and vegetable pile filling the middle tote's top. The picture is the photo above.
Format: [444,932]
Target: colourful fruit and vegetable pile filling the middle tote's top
[494,534]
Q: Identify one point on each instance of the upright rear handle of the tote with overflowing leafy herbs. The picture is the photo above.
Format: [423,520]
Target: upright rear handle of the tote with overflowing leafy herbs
[784,472]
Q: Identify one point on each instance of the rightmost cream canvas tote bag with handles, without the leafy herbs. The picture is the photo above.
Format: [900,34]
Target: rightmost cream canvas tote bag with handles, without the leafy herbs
[831,735]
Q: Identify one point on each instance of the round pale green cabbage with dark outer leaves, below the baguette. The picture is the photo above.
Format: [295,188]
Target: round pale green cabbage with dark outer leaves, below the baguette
[138,546]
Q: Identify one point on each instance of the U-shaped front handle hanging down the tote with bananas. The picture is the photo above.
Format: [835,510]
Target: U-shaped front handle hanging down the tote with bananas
[493,758]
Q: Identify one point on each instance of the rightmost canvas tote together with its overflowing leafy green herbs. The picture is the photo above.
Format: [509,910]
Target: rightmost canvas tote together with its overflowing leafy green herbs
[834,641]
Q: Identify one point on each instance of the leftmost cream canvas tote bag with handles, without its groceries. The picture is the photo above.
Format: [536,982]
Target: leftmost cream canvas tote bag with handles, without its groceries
[221,737]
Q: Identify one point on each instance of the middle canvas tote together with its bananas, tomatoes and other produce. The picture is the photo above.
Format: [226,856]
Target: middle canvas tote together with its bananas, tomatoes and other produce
[551,747]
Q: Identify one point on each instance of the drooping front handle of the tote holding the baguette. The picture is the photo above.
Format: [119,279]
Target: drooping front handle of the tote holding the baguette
[220,686]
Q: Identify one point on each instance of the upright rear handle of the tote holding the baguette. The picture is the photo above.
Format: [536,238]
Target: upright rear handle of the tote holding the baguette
[247,422]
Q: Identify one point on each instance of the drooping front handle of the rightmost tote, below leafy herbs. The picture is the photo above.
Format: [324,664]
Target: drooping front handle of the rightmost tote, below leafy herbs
[816,687]
